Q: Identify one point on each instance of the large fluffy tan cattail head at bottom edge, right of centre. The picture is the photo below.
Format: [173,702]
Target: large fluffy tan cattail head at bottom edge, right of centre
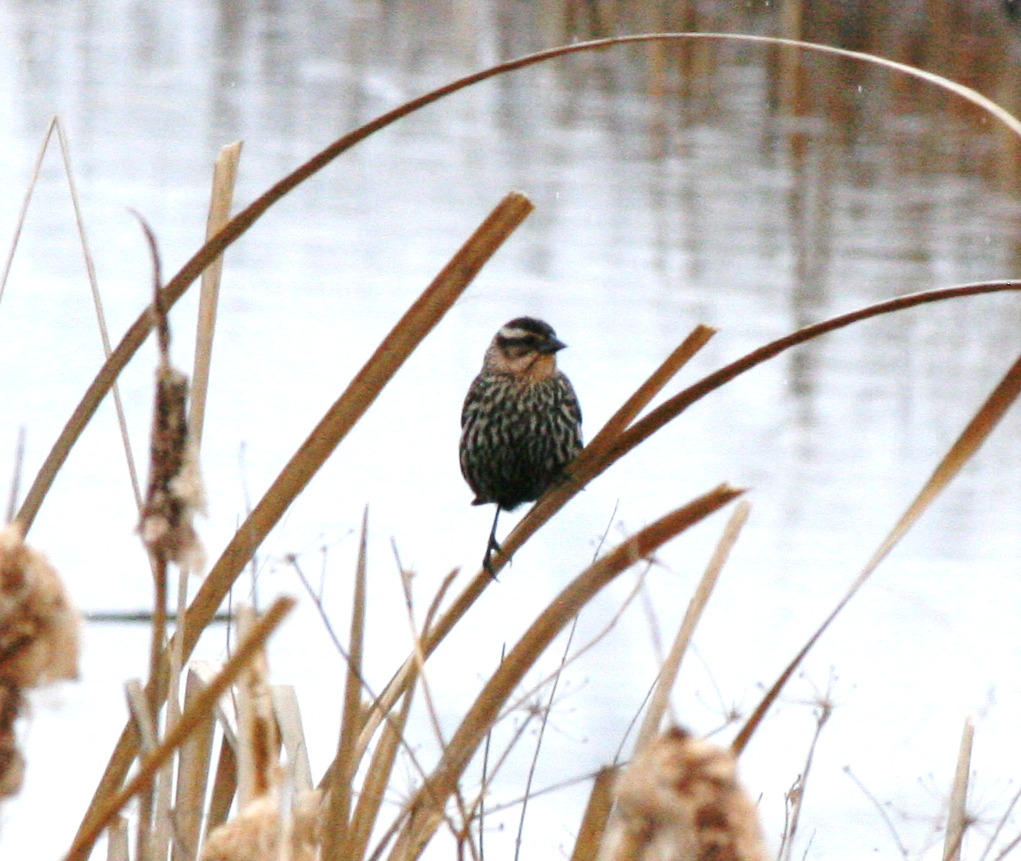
[680,801]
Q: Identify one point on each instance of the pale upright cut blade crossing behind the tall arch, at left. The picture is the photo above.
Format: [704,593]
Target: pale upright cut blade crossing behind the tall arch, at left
[225,177]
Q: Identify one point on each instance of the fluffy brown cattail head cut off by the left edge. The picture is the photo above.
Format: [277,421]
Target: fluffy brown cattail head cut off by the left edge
[39,640]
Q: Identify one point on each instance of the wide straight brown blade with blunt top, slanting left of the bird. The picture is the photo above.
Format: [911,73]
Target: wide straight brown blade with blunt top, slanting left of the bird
[396,349]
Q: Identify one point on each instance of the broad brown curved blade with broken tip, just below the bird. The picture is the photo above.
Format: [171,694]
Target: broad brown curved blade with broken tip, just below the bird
[426,809]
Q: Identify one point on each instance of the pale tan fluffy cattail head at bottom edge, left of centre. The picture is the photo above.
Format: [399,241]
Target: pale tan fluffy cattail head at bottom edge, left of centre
[255,834]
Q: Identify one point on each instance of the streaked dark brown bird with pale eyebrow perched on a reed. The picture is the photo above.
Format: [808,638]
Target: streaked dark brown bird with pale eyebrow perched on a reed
[521,423]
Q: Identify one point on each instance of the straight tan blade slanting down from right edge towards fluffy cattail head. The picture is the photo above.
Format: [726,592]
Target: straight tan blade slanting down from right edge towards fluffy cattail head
[966,446]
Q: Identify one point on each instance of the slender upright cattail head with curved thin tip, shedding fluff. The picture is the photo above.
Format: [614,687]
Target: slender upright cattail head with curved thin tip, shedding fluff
[176,493]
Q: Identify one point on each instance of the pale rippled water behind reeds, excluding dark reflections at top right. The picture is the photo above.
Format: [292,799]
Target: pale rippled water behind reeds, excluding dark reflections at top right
[653,215]
